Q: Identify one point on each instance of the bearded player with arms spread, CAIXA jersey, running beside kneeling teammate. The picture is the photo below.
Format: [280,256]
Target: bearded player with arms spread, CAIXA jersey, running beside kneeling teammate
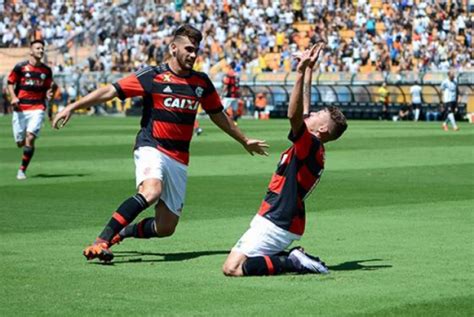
[172,93]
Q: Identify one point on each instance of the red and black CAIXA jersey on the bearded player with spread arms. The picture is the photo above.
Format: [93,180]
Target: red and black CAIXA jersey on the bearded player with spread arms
[170,105]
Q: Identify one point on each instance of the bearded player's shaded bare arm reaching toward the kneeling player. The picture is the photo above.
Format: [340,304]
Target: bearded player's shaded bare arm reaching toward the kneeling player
[228,126]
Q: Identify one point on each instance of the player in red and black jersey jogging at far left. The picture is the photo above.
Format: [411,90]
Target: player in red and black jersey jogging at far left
[29,84]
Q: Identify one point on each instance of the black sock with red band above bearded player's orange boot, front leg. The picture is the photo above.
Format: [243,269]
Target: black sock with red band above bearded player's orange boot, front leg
[125,214]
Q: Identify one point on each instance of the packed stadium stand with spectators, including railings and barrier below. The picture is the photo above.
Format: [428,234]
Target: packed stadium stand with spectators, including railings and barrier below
[368,42]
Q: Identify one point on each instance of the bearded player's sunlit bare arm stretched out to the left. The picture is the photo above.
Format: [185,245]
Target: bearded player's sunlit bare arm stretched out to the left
[98,96]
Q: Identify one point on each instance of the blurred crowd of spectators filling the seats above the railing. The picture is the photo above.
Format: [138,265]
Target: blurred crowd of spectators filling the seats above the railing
[254,35]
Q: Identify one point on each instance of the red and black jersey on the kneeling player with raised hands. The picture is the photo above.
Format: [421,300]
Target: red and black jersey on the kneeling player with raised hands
[298,172]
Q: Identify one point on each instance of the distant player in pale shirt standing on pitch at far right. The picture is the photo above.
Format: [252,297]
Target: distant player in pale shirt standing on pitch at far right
[450,99]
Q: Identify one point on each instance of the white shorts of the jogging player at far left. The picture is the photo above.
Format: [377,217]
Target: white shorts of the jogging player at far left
[27,121]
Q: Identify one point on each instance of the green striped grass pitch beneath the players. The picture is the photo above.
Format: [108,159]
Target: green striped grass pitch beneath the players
[392,217]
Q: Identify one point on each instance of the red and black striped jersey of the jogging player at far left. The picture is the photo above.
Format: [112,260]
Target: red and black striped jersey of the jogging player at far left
[31,84]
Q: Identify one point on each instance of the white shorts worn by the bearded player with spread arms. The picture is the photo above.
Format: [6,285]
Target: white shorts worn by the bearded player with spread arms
[150,163]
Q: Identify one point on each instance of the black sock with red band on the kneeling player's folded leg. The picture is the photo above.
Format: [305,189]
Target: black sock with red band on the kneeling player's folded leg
[267,265]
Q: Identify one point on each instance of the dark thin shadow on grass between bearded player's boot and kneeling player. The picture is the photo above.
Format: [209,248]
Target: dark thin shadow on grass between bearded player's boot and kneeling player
[122,257]
